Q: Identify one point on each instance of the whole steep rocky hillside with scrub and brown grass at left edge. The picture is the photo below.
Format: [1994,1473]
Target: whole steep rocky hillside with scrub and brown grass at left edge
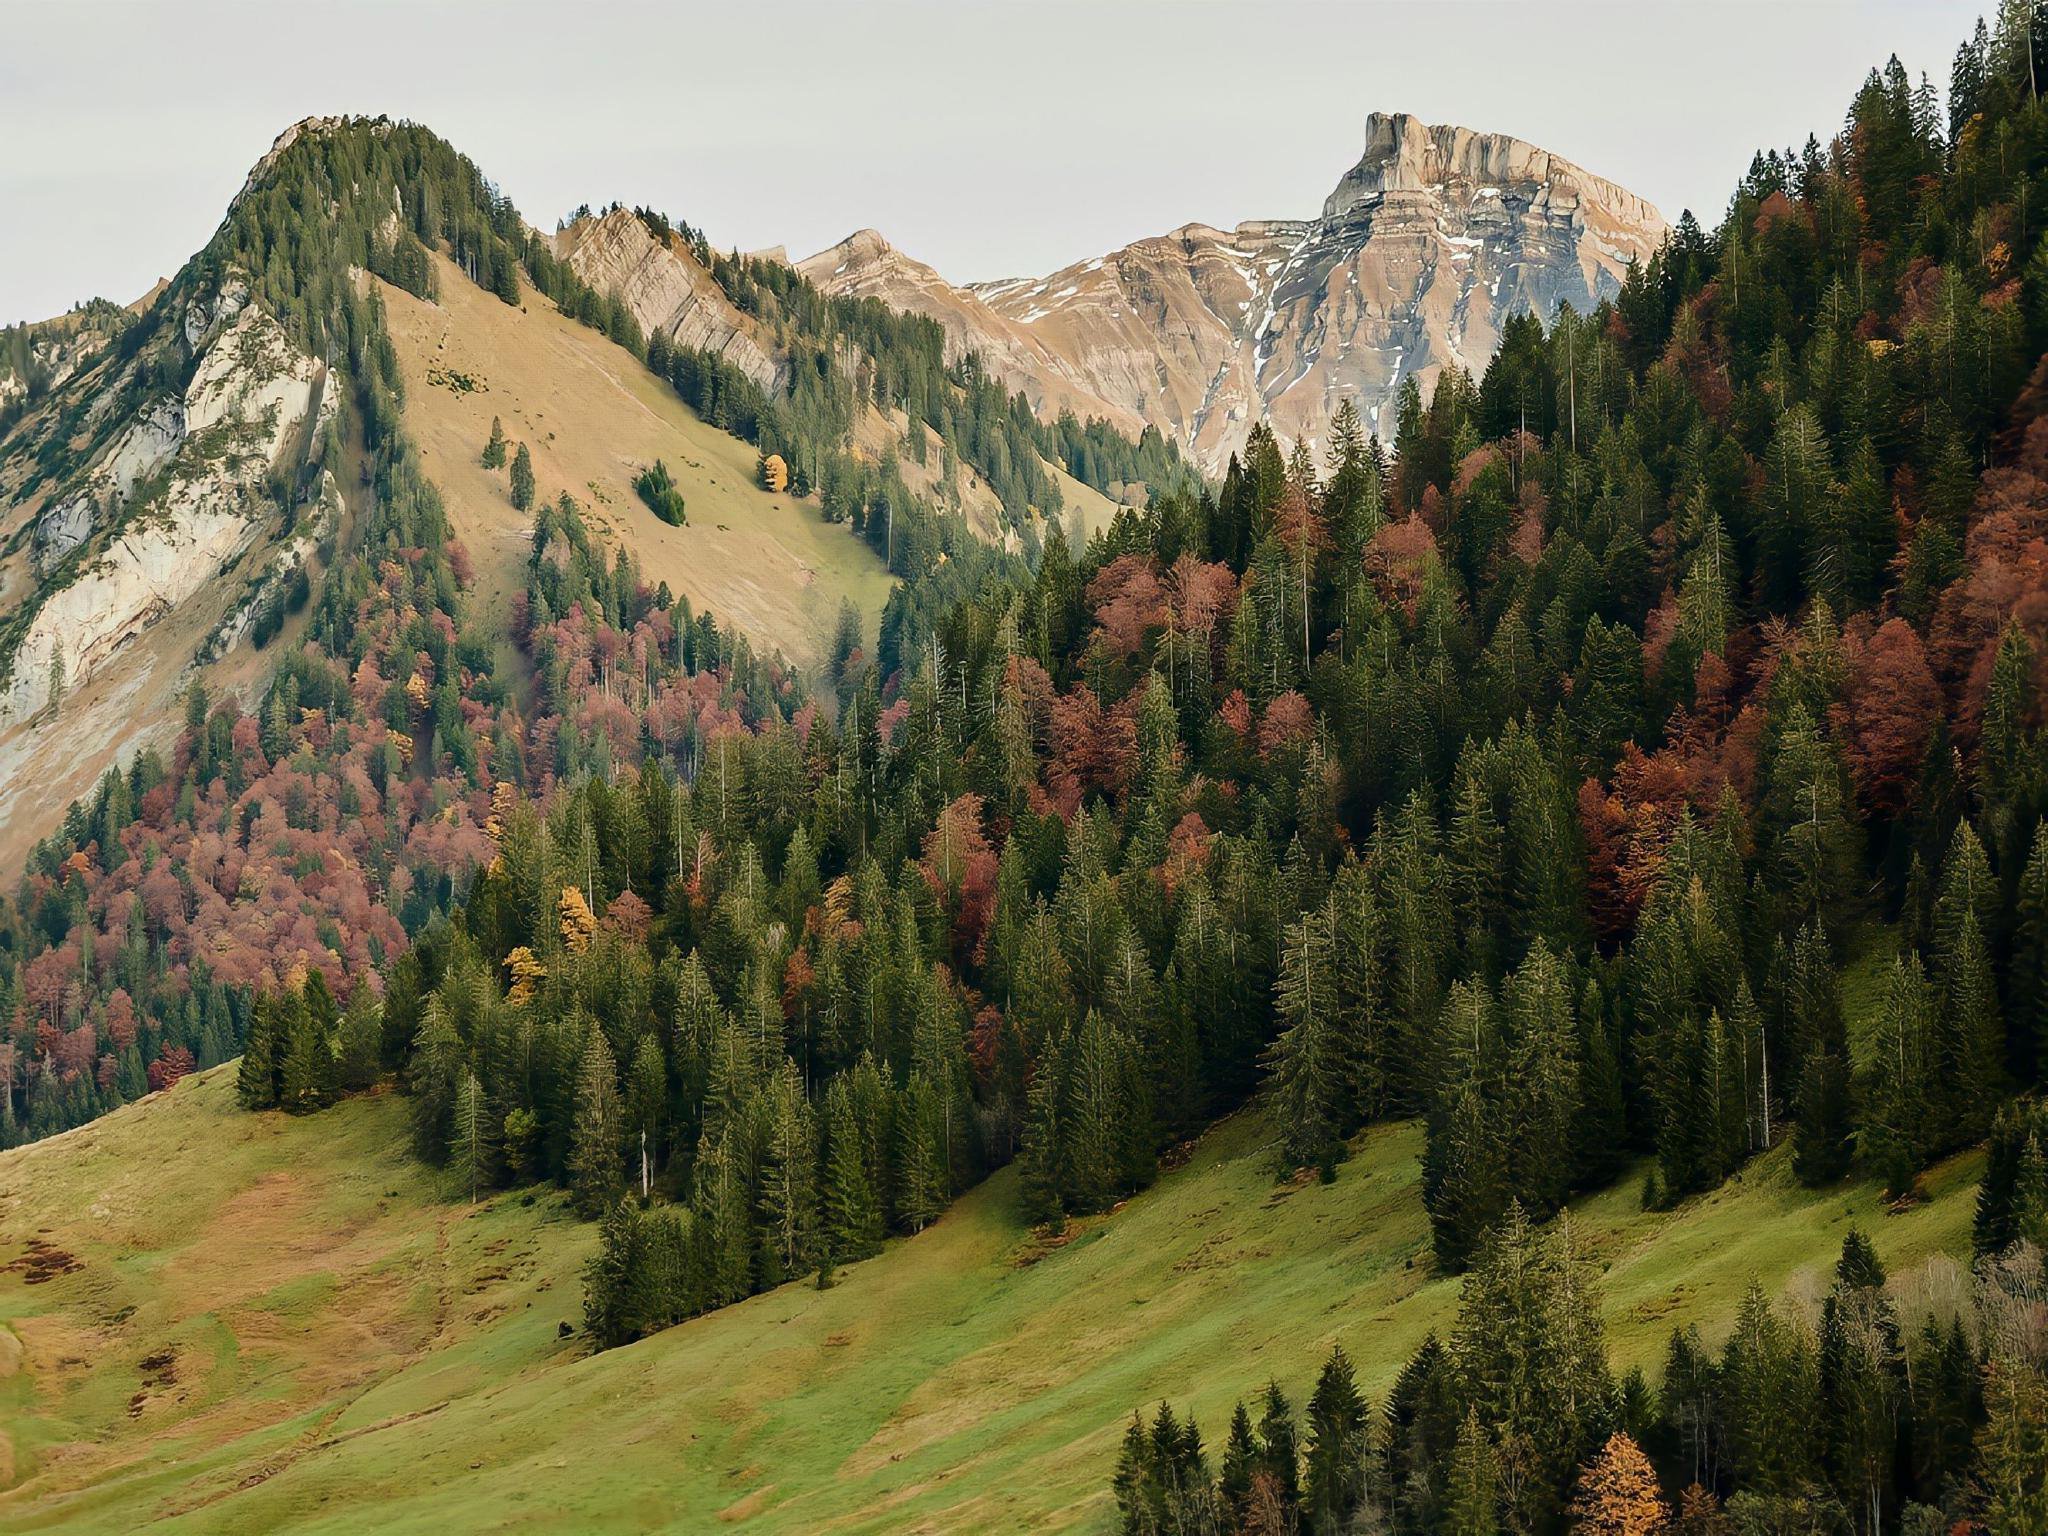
[153,507]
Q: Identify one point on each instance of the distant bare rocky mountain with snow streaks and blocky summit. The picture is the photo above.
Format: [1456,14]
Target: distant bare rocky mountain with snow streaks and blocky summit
[1420,255]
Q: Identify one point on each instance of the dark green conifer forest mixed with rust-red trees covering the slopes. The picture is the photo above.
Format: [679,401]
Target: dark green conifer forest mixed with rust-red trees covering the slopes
[1629,769]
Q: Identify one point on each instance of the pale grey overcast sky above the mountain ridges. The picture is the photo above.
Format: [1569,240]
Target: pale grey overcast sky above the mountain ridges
[988,140]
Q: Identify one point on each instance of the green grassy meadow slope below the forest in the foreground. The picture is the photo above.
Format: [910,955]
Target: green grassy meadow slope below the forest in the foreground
[351,1353]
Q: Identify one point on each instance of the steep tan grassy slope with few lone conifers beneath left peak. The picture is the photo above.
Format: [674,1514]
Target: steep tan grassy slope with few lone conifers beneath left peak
[595,419]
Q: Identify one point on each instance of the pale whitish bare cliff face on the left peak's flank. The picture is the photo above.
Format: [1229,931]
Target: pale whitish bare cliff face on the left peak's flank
[206,458]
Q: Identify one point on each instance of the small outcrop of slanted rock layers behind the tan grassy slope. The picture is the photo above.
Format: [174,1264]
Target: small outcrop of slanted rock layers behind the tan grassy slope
[665,288]
